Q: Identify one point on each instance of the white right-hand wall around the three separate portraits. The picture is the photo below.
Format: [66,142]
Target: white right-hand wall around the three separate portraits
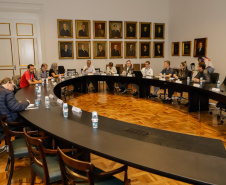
[198,19]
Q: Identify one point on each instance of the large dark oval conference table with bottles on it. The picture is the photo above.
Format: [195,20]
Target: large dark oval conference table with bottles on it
[187,158]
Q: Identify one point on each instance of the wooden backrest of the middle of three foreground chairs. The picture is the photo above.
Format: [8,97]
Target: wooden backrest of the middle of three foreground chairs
[36,154]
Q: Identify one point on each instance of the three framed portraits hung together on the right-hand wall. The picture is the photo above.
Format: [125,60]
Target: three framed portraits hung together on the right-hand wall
[200,48]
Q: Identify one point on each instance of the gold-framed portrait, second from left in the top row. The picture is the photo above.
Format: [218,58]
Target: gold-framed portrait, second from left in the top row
[82,29]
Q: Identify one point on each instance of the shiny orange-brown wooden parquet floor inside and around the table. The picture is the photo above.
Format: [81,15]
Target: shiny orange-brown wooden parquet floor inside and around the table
[146,112]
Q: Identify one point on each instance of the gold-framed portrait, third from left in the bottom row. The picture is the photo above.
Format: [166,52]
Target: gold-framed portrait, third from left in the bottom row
[100,49]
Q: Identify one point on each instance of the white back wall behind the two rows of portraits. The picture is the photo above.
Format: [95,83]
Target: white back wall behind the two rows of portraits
[104,10]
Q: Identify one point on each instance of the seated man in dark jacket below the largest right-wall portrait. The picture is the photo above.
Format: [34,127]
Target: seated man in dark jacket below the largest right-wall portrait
[203,73]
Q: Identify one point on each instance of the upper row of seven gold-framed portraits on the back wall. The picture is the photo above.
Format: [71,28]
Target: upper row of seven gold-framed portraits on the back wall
[83,29]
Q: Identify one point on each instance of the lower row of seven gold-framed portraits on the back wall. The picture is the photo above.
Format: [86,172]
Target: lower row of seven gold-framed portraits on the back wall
[100,49]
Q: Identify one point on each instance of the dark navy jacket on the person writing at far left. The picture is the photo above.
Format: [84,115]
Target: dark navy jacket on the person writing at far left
[9,105]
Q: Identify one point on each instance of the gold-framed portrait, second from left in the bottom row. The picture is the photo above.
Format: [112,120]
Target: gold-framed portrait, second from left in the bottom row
[83,50]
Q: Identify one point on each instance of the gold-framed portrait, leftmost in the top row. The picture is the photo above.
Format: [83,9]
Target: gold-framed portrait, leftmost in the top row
[65,28]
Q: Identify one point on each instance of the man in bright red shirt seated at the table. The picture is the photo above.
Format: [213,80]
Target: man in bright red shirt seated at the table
[28,77]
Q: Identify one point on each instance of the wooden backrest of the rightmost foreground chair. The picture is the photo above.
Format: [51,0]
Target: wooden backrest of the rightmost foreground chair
[68,175]
